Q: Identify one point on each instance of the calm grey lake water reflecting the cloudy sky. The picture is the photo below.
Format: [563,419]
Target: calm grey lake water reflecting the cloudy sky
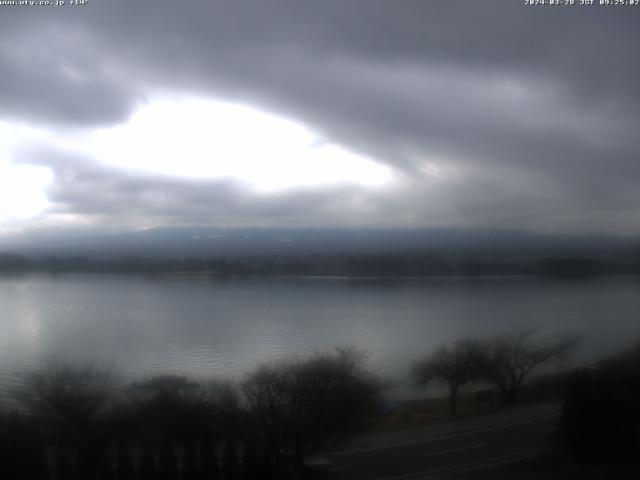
[210,327]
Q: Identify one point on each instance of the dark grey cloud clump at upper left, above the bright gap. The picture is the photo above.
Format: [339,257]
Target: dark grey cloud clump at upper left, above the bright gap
[51,74]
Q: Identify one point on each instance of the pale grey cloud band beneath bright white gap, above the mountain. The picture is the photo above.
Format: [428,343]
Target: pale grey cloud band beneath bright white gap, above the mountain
[108,198]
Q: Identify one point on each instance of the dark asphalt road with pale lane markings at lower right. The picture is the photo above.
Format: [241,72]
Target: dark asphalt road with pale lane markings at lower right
[448,456]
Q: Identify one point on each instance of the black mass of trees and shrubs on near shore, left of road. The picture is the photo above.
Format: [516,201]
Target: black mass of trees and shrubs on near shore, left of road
[281,413]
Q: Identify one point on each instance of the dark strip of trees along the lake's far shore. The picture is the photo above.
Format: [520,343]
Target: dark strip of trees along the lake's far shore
[362,265]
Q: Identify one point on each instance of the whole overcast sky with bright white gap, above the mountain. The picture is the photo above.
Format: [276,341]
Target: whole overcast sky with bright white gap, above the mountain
[126,115]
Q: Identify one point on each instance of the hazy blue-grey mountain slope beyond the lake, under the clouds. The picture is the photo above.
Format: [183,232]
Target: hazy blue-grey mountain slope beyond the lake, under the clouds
[222,242]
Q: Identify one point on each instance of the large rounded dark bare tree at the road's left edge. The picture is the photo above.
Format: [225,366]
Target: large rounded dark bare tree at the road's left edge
[298,406]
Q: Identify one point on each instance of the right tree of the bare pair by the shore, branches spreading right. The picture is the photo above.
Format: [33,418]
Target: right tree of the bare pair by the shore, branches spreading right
[513,357]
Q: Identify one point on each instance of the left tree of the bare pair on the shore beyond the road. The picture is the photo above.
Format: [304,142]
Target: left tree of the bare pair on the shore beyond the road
[456,365]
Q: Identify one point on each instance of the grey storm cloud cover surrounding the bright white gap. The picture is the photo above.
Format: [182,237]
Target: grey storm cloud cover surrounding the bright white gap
[536,109]
